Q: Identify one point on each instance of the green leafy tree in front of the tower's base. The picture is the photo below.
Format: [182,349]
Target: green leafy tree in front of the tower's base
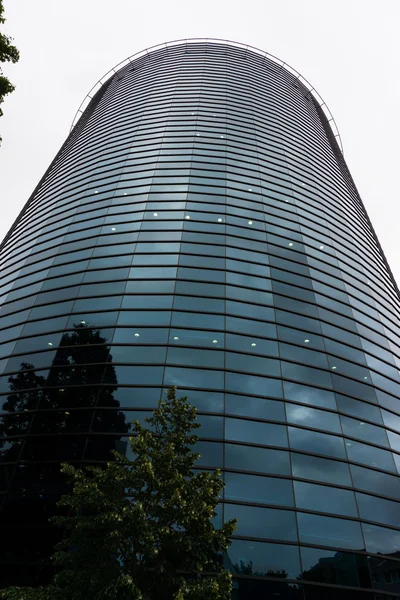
[142,529]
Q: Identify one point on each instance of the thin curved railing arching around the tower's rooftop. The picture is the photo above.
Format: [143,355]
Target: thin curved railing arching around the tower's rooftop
[282,64]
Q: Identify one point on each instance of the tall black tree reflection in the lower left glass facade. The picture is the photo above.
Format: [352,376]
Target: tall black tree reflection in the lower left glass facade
[48,421]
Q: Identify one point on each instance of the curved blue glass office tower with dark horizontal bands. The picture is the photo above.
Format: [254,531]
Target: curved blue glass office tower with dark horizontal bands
[199,227]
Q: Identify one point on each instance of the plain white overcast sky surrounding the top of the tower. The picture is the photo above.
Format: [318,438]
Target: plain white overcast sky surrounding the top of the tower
[348,49]
